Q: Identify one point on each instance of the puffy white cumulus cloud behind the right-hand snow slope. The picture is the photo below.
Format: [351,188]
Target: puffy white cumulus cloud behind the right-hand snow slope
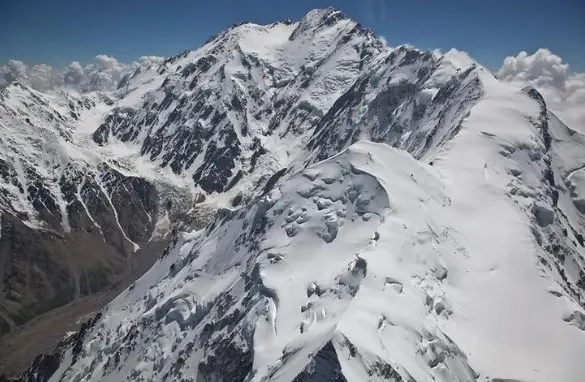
[563,89]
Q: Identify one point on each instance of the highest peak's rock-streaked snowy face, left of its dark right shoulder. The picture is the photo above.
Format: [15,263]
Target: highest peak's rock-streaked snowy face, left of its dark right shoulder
[228,109]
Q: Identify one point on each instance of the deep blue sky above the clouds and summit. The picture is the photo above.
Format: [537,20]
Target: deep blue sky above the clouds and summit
[60,31]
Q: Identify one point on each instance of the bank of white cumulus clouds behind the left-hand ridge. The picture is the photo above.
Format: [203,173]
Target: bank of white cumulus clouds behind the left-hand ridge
[104,73]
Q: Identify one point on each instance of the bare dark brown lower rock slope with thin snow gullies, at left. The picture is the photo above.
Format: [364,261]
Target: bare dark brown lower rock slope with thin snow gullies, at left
[47,267]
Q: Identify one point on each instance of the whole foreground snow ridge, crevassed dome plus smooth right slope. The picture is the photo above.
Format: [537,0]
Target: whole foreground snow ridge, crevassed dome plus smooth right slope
[369,265]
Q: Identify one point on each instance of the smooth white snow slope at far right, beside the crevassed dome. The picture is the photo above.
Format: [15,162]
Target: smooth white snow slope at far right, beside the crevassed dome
[515,302]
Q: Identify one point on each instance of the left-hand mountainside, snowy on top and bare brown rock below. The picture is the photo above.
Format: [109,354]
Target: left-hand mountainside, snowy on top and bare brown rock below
[71,220]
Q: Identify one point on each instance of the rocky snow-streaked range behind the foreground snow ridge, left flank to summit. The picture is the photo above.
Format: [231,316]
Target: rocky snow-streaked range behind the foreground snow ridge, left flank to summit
[215,124]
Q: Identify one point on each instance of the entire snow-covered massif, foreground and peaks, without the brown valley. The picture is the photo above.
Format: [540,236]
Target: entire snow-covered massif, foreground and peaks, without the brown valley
[382,213]
